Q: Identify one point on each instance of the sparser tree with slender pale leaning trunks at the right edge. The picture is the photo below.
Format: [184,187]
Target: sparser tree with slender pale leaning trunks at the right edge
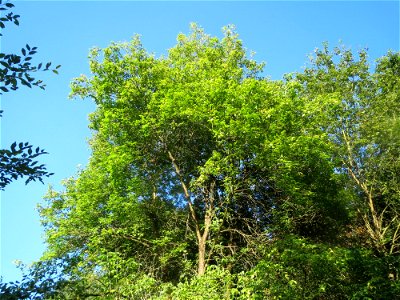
[364,127]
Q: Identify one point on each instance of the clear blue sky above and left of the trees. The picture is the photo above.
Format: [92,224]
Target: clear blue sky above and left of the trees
[281,33]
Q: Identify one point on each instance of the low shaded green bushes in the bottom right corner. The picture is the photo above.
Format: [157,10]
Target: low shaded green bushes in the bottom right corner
[294,268]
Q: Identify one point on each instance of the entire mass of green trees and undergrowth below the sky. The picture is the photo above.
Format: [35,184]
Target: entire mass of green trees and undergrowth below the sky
[209,181]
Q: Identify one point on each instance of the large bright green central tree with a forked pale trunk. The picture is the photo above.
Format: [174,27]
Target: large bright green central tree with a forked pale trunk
[198,132]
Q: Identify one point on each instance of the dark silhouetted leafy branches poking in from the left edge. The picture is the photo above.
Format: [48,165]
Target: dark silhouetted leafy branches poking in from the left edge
[15,70]
